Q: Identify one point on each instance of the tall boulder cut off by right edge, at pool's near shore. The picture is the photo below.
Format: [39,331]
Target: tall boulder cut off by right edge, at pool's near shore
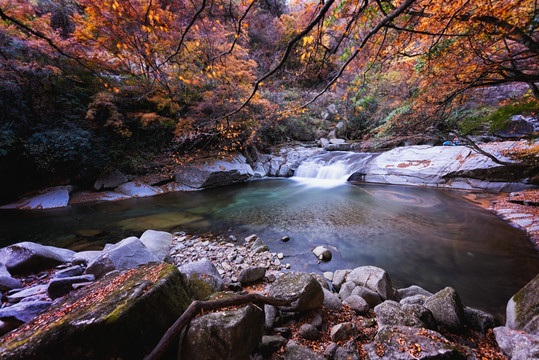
[523,308]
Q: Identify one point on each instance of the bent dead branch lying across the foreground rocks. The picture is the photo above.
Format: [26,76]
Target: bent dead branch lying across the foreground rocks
[197,307]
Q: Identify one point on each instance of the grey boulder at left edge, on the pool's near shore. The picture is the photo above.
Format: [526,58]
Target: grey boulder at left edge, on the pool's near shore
[29,257]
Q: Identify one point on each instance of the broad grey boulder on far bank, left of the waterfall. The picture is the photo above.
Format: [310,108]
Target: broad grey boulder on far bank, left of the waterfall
[219,173]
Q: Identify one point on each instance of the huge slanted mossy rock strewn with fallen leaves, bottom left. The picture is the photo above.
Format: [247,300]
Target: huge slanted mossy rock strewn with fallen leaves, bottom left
[120,316]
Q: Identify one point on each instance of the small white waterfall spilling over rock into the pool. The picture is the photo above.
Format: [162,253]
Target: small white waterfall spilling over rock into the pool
[331,168]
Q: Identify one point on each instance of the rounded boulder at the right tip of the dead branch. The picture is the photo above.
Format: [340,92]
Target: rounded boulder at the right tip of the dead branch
[311,295]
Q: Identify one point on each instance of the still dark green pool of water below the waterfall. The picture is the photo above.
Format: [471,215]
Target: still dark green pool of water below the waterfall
[432,238]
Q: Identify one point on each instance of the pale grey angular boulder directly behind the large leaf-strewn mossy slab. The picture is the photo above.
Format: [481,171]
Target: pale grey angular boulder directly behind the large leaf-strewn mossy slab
[127,254]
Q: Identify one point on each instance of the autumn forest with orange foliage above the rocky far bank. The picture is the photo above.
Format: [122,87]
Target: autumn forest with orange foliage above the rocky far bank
[89,84]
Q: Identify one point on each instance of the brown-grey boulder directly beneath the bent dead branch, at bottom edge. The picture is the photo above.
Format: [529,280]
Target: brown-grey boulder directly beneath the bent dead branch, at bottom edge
[230,334]
